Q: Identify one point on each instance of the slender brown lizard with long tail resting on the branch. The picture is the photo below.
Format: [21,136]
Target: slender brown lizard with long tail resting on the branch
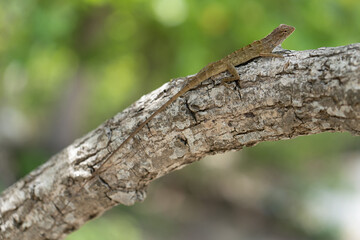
[258,48]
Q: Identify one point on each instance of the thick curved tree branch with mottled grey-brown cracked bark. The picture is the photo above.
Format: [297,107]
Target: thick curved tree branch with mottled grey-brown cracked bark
[304,93]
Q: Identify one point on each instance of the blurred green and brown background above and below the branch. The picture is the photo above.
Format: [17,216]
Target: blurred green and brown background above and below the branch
[67,66]
